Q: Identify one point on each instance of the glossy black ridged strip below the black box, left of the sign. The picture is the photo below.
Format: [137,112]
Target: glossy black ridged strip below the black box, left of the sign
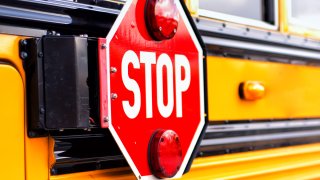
[80,150]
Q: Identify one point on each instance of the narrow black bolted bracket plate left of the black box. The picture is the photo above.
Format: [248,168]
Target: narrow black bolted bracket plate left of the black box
[34,85]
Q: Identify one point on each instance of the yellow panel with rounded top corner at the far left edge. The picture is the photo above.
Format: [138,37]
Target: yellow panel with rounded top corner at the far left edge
[12,123]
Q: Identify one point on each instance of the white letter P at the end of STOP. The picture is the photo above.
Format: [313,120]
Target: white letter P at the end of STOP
[181,61]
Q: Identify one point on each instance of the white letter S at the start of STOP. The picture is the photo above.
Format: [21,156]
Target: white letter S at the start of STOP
[130,84]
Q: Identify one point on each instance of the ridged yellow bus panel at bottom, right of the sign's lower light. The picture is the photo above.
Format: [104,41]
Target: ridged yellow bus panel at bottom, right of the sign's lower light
[300,162]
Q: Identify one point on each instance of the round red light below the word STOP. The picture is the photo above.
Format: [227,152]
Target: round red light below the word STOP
[165,153]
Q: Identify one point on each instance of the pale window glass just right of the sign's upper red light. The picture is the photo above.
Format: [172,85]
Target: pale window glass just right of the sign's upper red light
[252,9]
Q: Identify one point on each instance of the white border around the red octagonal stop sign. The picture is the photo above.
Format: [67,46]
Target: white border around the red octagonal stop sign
[202,120]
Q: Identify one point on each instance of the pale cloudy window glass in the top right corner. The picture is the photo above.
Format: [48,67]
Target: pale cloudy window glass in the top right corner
[307,12]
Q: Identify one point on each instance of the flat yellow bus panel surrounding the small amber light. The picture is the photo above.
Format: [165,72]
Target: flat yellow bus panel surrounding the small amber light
[292,91]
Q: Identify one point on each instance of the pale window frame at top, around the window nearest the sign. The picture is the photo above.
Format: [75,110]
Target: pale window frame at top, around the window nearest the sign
[243,20]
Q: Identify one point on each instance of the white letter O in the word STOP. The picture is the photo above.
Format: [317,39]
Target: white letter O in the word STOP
[164,60]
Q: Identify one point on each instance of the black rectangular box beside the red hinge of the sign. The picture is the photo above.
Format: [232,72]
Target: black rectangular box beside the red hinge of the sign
[66,90]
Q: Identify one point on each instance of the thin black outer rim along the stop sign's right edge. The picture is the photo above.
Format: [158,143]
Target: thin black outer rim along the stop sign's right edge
[203,85]
